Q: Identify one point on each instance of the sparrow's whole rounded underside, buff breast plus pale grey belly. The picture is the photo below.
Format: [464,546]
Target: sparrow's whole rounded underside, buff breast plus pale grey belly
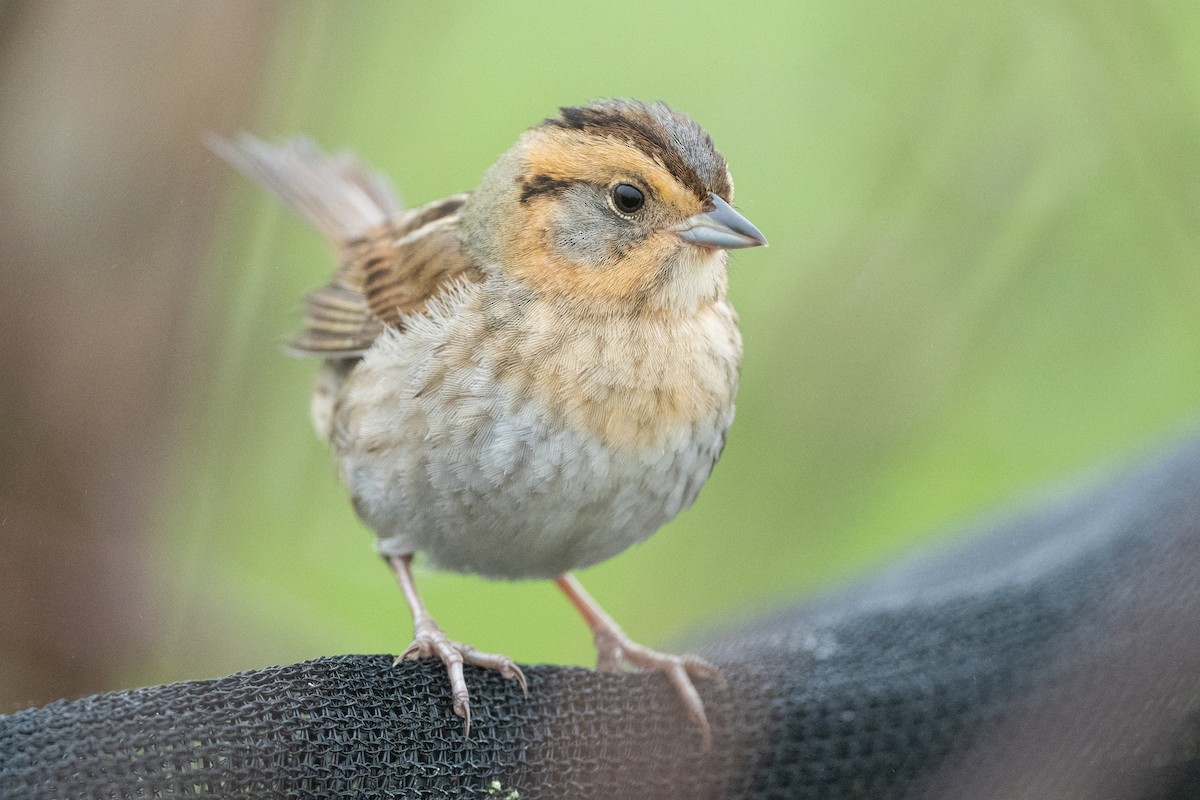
[535,444]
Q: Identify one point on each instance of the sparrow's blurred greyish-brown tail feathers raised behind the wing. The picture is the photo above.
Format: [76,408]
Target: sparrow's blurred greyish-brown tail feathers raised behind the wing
[340,197]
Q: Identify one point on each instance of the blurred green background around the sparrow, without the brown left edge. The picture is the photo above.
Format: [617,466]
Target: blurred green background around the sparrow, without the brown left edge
[983,275]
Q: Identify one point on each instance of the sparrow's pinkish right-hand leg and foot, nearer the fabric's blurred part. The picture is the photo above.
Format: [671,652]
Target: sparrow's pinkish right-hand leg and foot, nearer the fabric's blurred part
[614,648]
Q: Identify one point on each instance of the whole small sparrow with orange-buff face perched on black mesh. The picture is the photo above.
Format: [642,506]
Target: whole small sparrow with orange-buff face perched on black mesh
[526,380]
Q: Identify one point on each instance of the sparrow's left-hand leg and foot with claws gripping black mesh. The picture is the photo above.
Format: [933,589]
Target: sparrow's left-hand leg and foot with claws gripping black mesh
[429,641]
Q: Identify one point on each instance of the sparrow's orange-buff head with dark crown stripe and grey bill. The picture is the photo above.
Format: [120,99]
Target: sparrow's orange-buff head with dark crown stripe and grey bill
[613,203]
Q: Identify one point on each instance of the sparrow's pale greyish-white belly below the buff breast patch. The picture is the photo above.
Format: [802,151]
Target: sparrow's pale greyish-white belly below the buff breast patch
[488,483]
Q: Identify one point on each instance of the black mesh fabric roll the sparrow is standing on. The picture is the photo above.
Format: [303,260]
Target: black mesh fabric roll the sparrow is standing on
[1049,654]
